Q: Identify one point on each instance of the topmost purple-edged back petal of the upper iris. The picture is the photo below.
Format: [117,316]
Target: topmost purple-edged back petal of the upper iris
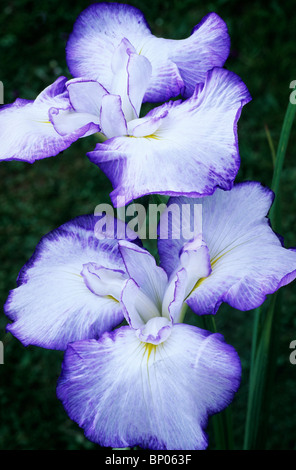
[177,65]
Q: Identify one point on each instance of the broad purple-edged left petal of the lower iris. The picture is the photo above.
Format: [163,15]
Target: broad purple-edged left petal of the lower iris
[70,288]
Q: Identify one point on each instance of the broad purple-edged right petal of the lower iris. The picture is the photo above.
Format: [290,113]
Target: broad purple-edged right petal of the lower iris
[248,260]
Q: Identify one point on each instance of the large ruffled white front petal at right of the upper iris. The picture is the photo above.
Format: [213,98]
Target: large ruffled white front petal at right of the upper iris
[192,151]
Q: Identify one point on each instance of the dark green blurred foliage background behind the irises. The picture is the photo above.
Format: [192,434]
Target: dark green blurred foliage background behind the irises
[35,199]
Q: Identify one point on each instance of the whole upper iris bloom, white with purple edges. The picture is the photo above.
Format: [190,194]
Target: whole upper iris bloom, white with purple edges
[181,147]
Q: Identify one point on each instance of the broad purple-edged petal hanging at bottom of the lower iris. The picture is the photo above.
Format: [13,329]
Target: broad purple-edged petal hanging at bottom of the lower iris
[124,392]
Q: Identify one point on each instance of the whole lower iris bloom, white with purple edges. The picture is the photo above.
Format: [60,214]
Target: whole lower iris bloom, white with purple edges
[154,381]
